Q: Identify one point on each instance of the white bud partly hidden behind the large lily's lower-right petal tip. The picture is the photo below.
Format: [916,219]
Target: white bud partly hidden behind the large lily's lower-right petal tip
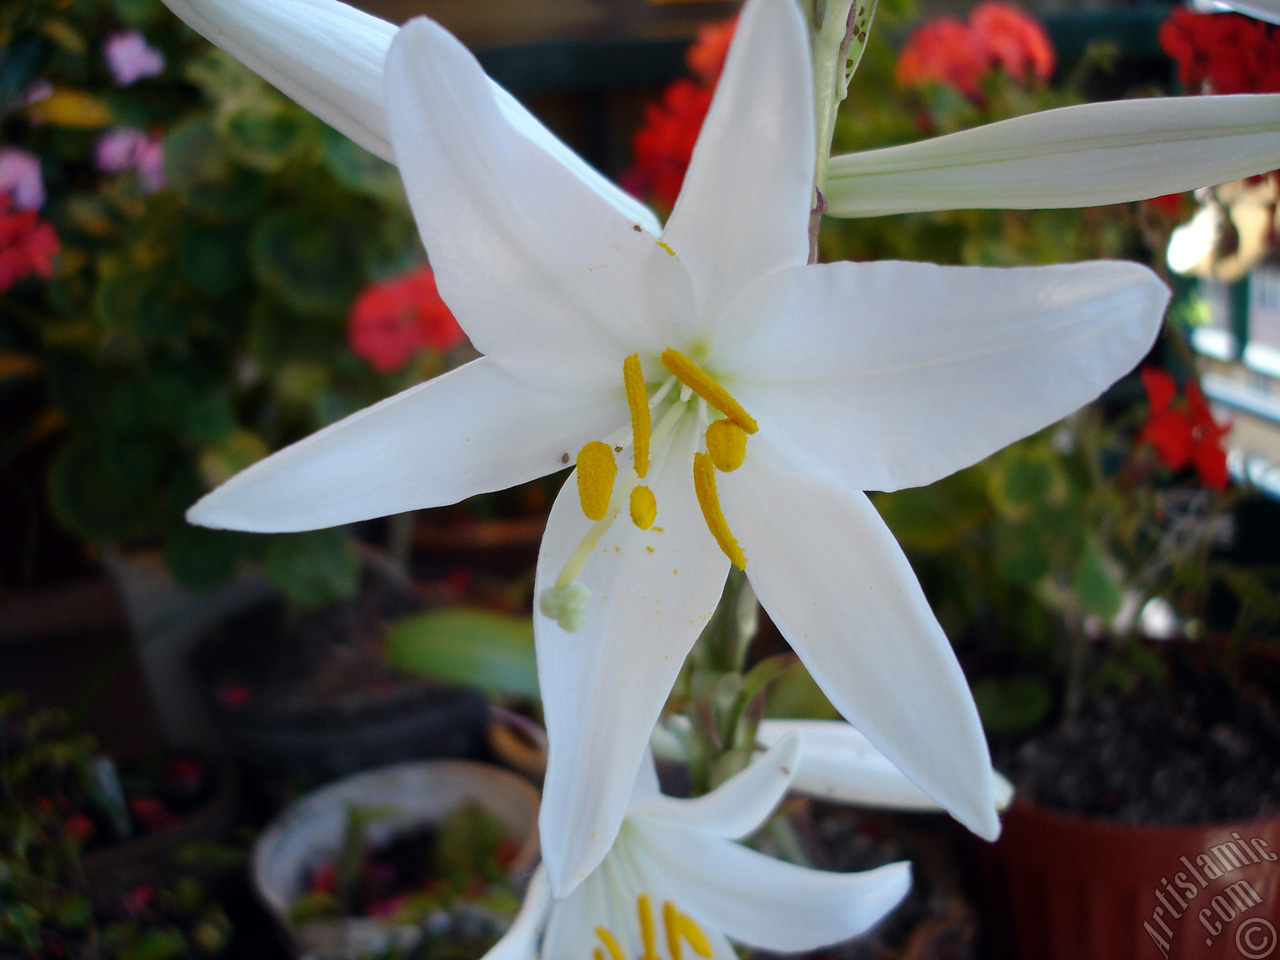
[840,765]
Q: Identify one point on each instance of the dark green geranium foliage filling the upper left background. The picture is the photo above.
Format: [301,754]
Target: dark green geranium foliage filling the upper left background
[193,330]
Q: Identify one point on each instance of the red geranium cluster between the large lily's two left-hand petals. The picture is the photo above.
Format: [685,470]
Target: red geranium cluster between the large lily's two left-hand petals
[392,322]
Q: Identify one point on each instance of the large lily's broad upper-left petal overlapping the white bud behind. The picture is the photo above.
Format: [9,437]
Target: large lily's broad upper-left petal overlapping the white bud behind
[550,281]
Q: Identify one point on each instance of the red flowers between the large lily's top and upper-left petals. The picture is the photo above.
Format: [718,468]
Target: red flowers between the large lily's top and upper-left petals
[665,144]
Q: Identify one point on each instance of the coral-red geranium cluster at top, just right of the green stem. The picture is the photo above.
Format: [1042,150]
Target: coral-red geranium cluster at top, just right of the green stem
[957,54]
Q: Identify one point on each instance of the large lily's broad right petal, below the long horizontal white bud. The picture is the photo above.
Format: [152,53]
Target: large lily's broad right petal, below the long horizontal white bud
[895,374]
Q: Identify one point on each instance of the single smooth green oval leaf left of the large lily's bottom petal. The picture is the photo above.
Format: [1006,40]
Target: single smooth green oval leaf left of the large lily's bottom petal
[472,647]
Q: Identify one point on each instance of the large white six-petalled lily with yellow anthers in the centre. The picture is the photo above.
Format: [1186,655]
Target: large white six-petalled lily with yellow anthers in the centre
[728,396]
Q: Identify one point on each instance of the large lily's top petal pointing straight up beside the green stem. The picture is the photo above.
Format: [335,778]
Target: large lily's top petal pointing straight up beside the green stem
[744,208]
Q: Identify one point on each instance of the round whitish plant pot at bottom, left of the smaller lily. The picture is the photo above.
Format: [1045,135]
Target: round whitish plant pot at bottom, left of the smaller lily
[310,833]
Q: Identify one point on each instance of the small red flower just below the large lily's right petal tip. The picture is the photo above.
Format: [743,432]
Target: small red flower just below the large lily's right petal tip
[1186,435]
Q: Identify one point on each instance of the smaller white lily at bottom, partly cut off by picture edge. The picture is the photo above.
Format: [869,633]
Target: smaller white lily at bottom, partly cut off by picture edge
[675,884]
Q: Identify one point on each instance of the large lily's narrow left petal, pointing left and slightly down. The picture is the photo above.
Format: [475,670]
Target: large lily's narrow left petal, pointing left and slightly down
[473,431]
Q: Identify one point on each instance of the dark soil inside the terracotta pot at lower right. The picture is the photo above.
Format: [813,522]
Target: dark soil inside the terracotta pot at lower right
[1195,749]
